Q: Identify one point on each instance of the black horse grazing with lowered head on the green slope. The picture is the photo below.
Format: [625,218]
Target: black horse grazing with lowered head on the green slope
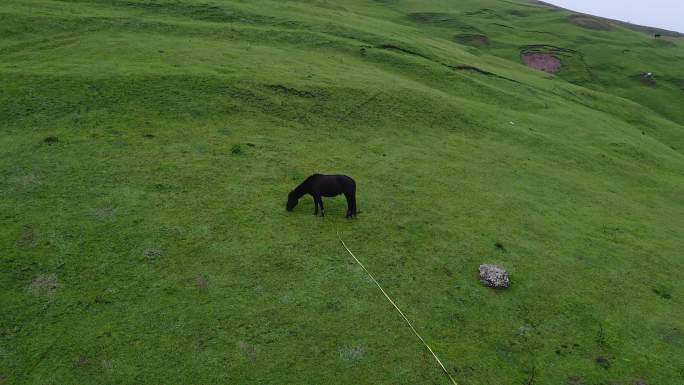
[318,186]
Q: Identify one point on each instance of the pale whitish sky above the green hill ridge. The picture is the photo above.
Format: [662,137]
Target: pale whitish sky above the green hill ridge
[666,14]
